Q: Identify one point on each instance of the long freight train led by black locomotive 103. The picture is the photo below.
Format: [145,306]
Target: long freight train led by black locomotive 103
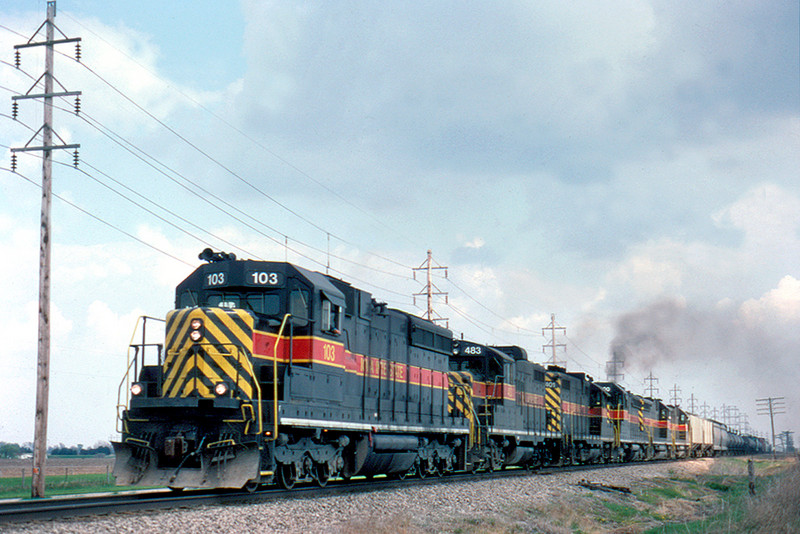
[270,373]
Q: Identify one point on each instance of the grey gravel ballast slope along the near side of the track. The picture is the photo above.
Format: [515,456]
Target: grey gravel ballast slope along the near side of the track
[431,508]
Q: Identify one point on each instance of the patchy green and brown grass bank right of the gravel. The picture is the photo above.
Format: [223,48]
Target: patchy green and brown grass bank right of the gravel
[712,502]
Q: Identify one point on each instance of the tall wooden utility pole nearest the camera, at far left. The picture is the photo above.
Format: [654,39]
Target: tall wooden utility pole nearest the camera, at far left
[47,147]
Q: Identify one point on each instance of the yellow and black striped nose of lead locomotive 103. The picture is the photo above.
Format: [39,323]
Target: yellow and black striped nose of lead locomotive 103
[205,347]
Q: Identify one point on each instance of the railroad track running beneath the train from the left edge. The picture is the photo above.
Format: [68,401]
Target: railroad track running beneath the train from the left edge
[22,510]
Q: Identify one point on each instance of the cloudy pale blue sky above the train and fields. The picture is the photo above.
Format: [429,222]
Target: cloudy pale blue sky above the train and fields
[630,167]
